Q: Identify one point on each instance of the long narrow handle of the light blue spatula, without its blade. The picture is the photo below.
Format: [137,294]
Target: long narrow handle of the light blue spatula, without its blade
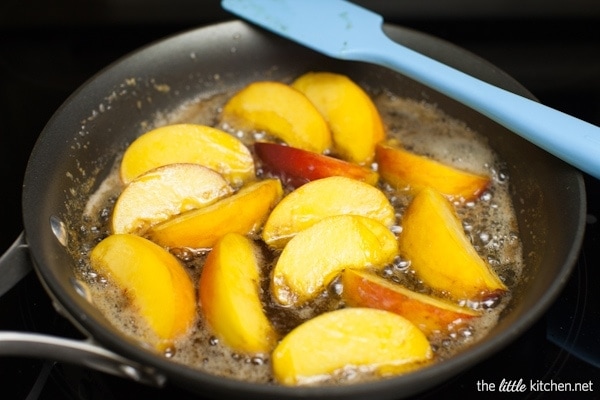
[570,139]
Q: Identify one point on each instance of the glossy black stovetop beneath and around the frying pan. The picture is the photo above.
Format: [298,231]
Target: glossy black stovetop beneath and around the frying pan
[557,58]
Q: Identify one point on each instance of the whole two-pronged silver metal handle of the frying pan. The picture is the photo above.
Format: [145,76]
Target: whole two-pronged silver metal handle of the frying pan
[15,264]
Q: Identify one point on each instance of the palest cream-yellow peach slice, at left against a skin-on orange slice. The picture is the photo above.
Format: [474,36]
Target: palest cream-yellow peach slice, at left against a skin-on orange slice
[163,192]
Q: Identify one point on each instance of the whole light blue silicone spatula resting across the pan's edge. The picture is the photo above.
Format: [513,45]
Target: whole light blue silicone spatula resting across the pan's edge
[344,30]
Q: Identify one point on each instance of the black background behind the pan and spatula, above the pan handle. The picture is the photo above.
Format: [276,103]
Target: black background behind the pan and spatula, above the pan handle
[49,48]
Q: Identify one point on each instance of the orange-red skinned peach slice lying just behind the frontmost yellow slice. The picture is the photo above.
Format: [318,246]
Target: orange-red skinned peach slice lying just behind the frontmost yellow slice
[430,314]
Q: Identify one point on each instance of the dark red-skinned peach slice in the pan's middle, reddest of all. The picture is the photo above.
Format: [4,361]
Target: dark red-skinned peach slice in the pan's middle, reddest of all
[297,167]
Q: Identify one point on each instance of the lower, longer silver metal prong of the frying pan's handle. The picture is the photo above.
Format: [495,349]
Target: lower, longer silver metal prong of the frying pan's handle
[84,353]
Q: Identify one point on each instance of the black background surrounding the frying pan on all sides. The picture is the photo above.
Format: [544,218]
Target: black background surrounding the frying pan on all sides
[49,48]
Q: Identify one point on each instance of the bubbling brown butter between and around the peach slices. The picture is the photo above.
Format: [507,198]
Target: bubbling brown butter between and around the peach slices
[490,222]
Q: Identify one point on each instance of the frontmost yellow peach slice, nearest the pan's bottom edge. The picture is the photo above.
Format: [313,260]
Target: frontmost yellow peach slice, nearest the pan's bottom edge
[363,338]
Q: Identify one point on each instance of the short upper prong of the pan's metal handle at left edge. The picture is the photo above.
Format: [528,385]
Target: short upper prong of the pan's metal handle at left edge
[15,264]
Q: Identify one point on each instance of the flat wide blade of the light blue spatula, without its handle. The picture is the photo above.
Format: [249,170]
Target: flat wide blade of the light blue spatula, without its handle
[349,27]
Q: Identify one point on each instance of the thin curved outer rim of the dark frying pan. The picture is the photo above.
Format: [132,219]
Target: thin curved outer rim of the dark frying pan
[187,375]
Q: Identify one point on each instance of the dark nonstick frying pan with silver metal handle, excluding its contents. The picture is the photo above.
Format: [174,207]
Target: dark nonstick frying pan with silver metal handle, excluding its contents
[83,139]
